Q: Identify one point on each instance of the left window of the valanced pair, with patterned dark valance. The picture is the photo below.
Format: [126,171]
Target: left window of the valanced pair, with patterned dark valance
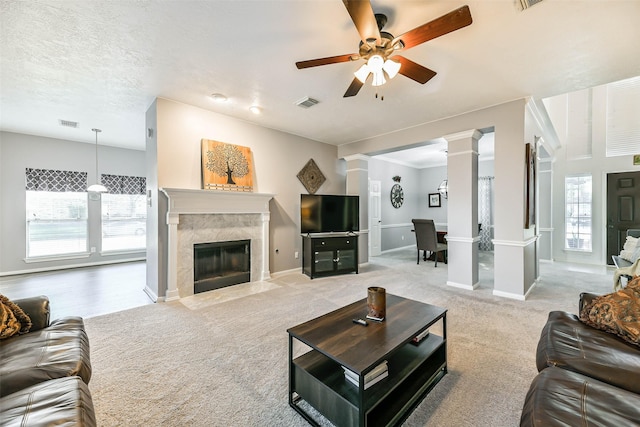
[56,207]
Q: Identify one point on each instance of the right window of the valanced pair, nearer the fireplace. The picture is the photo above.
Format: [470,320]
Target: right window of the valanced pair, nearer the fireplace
[124,213]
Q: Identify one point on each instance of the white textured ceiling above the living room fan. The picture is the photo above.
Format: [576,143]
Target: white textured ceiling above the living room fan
[103,63]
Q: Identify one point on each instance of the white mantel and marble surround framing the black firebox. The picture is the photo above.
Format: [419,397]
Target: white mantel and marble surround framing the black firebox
[203,216]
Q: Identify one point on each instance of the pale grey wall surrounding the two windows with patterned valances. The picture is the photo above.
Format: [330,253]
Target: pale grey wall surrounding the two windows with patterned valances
[18,152]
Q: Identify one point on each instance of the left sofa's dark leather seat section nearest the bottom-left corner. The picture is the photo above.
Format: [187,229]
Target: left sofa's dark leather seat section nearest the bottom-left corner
[60,402]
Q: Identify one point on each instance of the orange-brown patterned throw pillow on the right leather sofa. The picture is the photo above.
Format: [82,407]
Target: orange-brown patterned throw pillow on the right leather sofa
[617,313]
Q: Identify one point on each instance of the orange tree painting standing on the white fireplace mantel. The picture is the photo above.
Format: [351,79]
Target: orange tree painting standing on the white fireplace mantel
[226,166]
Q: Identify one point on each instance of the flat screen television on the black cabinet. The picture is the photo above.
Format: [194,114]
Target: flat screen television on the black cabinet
[325,213]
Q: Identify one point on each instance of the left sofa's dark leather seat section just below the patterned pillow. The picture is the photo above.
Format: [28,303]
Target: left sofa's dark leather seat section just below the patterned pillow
[60,350]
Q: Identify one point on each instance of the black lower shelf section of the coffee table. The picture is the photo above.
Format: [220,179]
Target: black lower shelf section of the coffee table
[413,371]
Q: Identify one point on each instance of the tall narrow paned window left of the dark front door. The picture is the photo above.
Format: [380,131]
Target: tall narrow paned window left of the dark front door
[577,221]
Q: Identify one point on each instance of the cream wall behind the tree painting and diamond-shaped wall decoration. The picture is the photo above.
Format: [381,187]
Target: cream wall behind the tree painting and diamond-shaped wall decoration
[277,156]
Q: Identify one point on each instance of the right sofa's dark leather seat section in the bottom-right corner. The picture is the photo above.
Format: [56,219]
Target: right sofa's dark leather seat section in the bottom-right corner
[558,397]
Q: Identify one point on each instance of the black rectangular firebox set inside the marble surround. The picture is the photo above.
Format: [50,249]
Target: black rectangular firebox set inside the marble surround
[220,264]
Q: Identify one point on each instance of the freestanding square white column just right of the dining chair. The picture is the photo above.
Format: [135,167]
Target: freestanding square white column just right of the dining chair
[462,211]
